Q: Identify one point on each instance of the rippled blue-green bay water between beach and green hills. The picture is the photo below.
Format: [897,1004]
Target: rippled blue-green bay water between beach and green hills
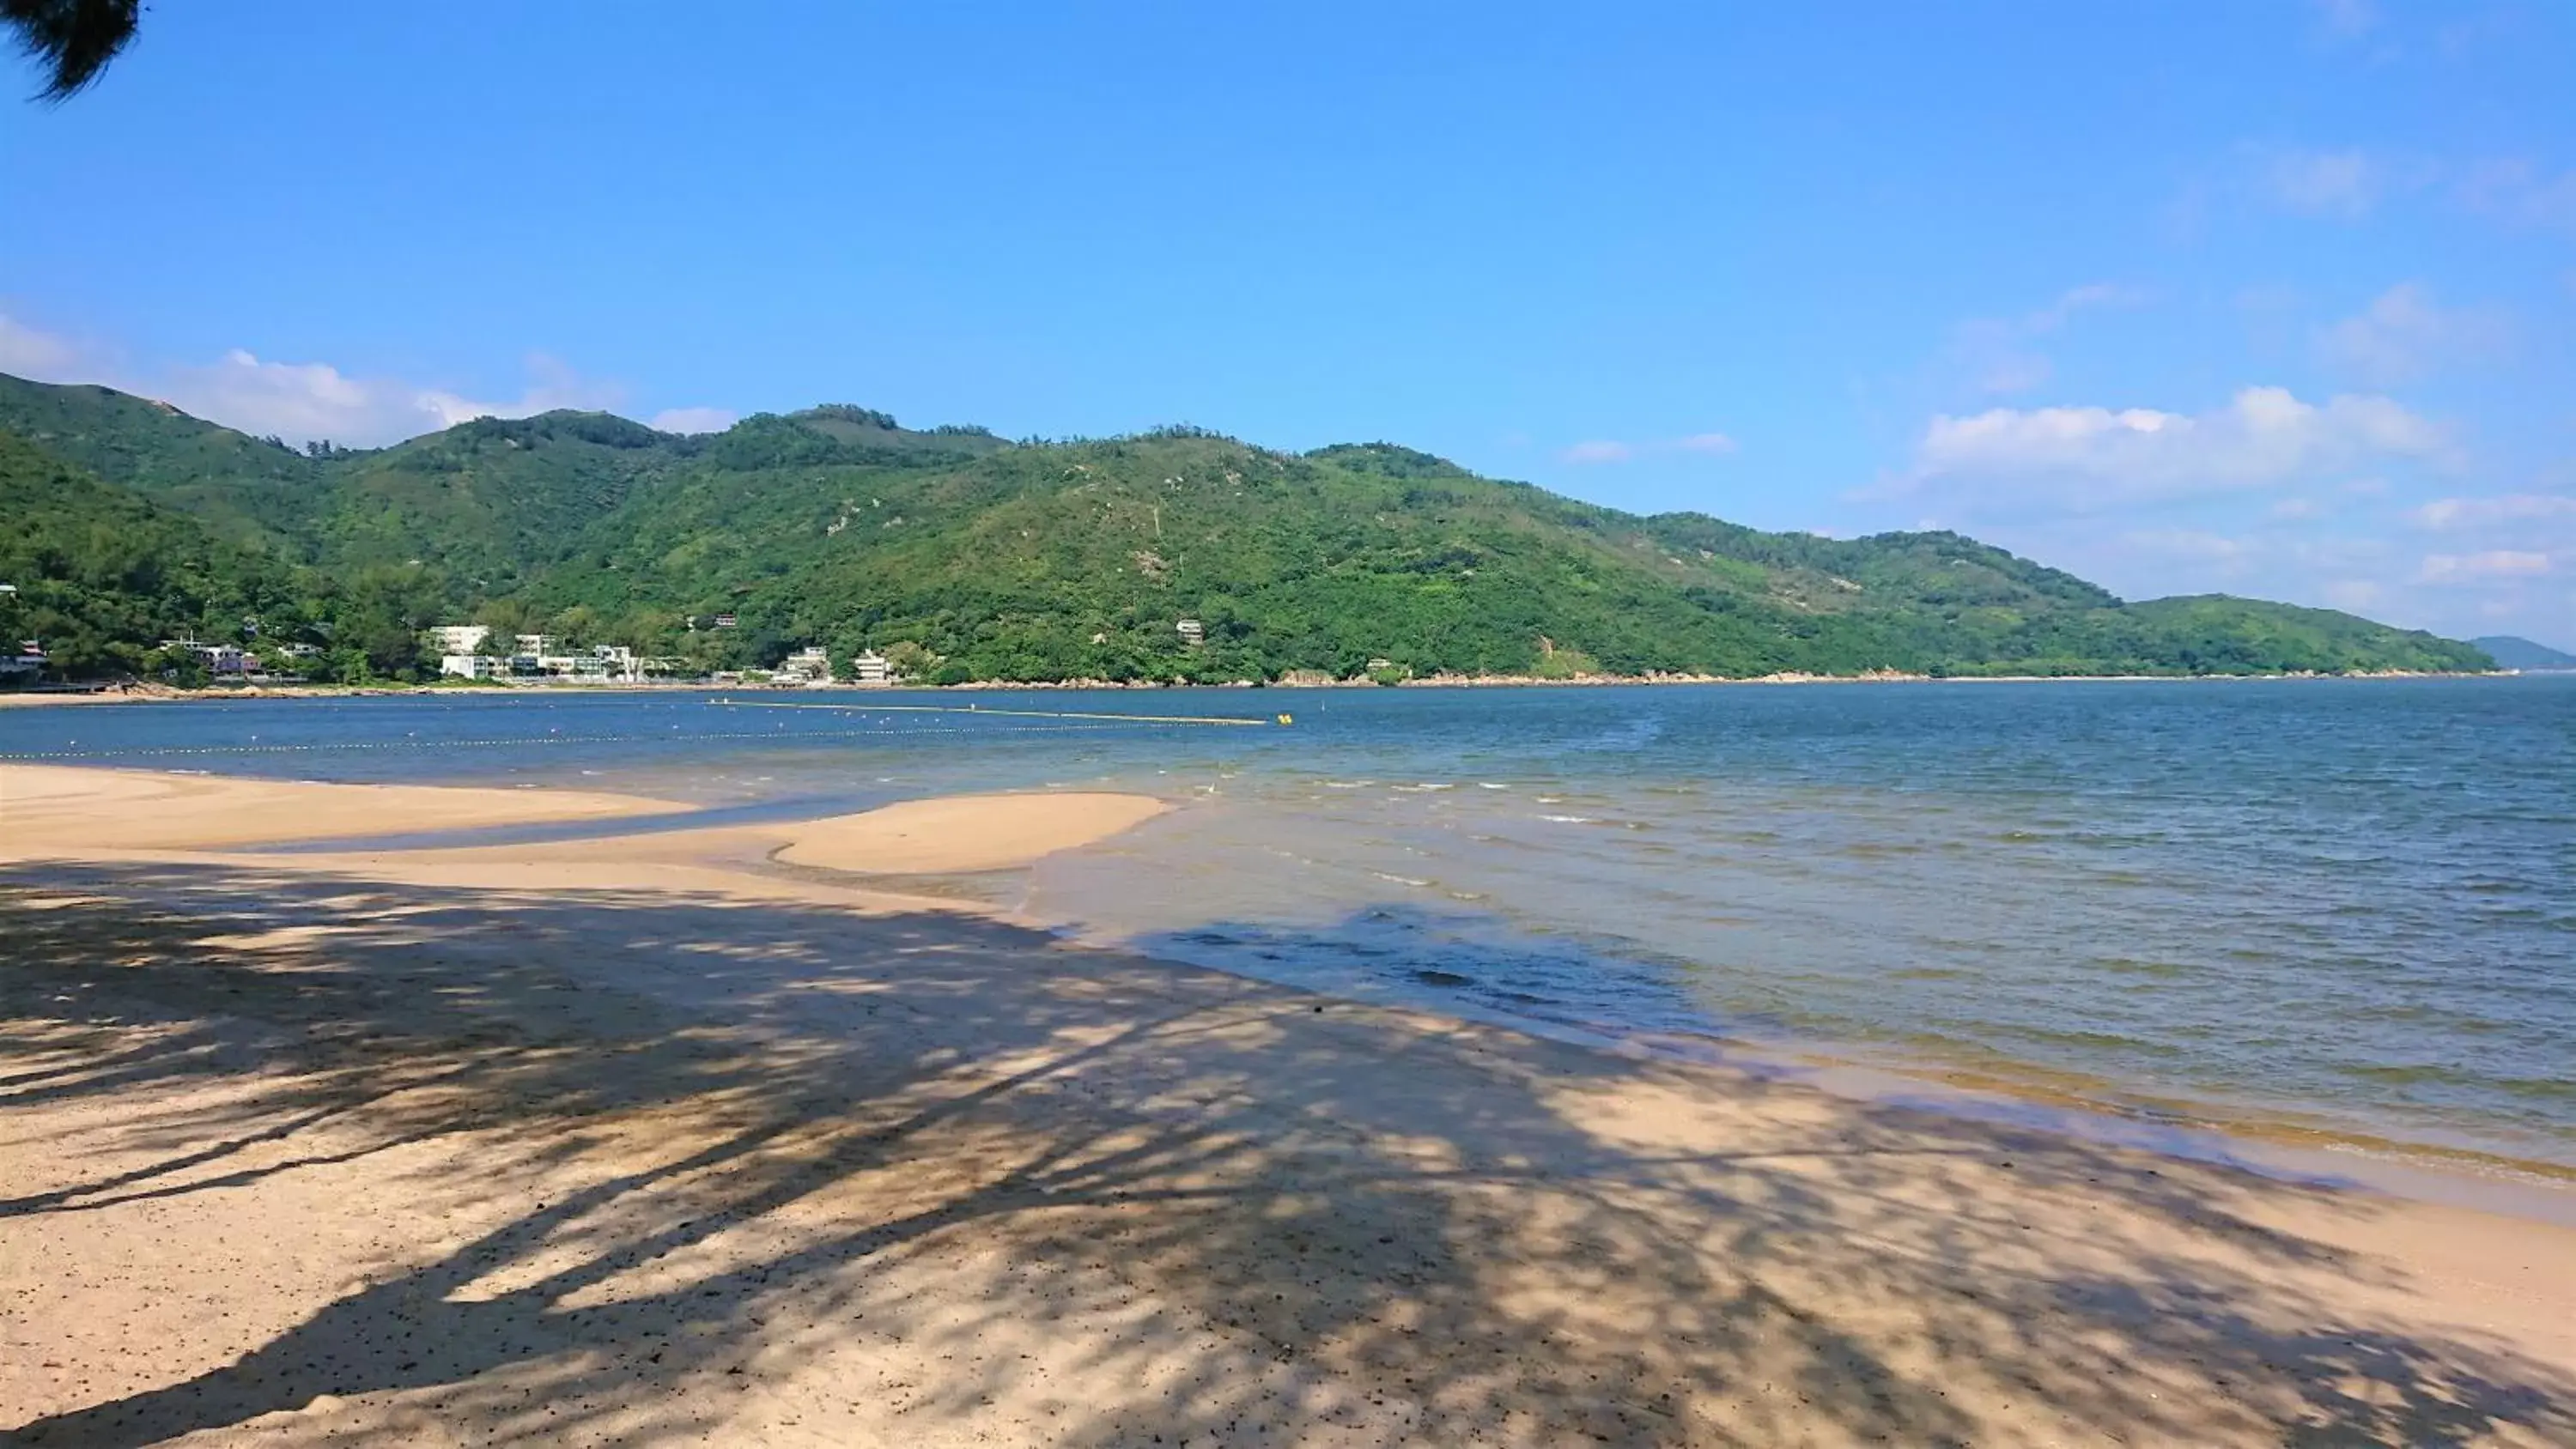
[2340,907]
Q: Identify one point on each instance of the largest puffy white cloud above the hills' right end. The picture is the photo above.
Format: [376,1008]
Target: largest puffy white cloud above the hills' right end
[2096,457]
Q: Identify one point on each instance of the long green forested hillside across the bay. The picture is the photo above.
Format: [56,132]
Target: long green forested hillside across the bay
[153,544]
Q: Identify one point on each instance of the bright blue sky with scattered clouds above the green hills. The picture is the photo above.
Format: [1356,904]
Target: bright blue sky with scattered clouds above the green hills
[2255,297]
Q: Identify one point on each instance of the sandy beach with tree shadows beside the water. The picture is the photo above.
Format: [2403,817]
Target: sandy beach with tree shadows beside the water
[723,1136]
